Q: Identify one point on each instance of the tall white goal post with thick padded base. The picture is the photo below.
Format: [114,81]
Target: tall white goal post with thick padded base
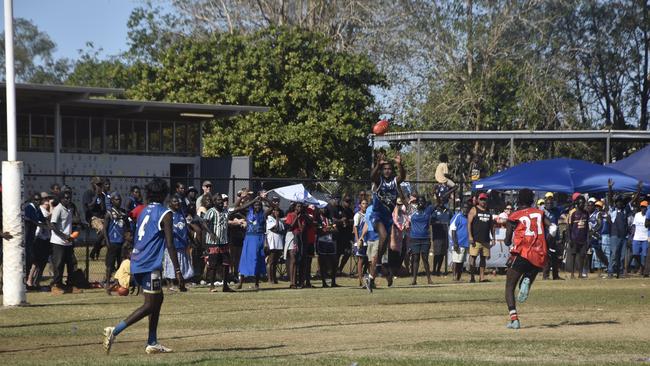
[13,268]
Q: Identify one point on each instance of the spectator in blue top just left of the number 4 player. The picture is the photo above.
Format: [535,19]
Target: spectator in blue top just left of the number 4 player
[117,231]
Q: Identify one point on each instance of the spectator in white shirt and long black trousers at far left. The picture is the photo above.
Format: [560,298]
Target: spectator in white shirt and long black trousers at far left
[62,247]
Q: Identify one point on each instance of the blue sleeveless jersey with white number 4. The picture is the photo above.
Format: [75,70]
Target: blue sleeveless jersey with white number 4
[149,247]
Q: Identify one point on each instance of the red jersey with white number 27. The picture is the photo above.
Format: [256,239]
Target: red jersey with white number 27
[528,238]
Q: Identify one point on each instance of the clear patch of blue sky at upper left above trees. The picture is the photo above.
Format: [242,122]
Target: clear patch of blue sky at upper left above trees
[72,23]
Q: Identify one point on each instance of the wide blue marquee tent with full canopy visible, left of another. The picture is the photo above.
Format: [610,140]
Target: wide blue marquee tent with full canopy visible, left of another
[559,175]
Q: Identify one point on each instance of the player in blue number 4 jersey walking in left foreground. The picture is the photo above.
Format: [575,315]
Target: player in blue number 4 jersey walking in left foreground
[153,233]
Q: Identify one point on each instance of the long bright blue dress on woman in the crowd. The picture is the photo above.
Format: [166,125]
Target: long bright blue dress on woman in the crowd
[252,257]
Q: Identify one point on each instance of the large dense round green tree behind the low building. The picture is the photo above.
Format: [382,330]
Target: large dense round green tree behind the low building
[320,99]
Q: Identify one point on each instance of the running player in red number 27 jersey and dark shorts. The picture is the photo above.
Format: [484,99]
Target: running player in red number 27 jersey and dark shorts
[528,250]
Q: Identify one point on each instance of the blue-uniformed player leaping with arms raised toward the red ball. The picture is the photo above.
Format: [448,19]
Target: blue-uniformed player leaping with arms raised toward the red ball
[385,190]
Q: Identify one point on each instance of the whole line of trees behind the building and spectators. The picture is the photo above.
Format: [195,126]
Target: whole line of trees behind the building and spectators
[330,68]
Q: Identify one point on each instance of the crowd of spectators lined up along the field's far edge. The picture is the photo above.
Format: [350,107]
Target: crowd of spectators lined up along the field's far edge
[222,246]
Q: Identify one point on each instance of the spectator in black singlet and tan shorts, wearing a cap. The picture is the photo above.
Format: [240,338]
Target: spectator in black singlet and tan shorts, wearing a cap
[481,227]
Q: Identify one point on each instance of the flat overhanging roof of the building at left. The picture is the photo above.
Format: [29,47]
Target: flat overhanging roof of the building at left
[76,100]
